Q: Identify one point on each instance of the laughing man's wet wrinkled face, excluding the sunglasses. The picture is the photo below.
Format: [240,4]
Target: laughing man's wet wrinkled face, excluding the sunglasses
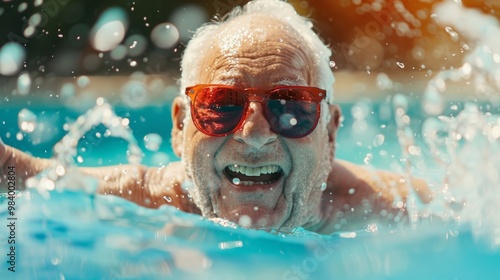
[262,53]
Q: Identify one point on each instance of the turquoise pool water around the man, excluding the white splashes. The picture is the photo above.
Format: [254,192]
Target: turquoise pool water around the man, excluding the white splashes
[74,235]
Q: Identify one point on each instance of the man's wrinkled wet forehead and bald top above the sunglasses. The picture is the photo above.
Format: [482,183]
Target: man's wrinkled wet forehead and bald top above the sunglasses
[256,51]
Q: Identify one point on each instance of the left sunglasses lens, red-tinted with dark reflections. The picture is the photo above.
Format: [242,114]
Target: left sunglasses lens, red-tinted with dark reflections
[218,110]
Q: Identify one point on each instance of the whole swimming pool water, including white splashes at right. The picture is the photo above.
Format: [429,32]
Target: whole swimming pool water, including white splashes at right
[78,235]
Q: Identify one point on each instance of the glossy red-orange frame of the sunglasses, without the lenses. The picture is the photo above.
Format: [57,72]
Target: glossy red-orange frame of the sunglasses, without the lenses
[255,95]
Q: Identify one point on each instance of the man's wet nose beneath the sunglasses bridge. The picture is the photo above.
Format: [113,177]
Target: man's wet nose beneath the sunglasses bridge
[255,131]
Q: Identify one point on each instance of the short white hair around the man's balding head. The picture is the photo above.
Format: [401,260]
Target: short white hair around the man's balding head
[277,9]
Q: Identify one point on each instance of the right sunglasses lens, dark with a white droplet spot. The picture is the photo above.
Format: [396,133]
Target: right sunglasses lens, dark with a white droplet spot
[292,112]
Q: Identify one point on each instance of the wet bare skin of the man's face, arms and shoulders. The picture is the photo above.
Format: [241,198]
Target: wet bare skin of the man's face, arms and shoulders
[255,52]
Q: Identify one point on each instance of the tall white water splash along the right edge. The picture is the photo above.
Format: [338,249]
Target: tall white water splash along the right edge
[466,147]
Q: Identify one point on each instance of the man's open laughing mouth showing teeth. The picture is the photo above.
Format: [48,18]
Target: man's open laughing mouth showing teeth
[248,176]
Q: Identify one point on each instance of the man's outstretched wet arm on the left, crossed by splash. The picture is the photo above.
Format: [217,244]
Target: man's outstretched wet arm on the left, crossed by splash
[149,187]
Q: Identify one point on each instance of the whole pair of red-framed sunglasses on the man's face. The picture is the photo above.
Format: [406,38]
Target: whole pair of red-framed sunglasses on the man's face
[291,111]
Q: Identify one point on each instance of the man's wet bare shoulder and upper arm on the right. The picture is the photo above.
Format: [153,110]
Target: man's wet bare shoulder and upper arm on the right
[356,195]
